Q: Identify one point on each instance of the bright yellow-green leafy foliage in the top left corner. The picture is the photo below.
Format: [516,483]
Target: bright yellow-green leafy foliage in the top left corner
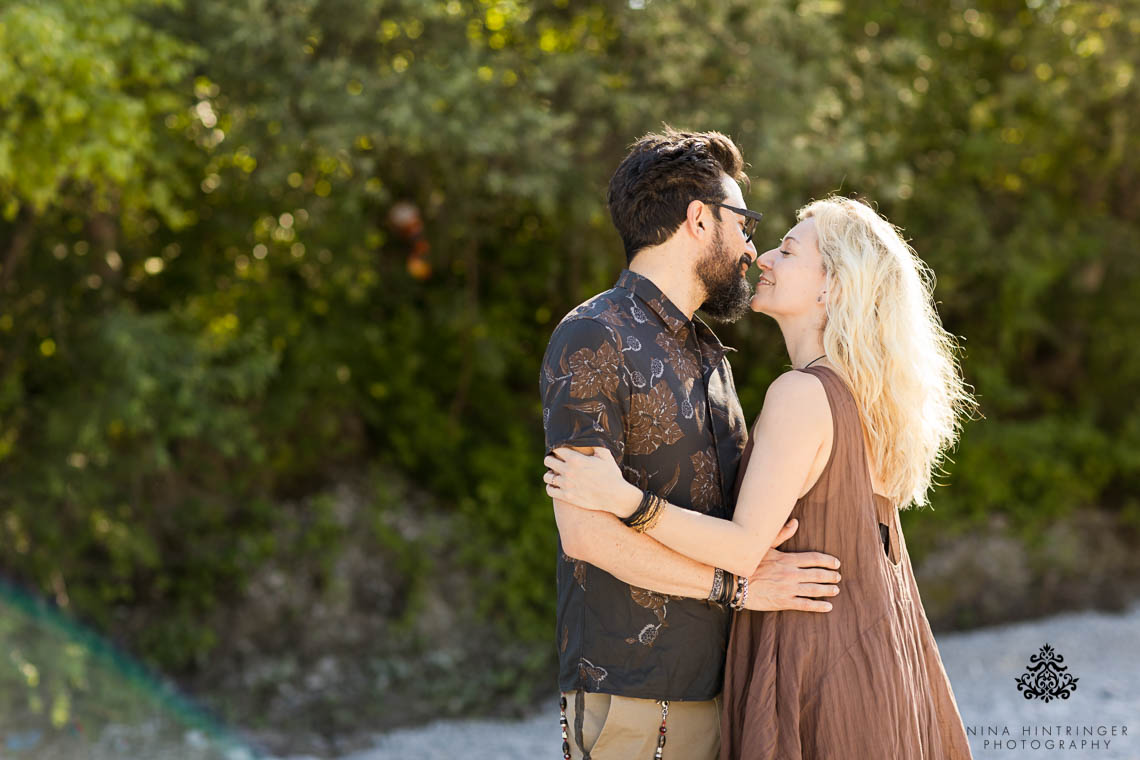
[85,86]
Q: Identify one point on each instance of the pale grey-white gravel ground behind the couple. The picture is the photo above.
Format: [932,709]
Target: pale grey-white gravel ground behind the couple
[1102,650]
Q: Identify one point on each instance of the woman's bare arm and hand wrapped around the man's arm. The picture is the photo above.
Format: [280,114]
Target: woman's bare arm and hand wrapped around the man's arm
[792,432]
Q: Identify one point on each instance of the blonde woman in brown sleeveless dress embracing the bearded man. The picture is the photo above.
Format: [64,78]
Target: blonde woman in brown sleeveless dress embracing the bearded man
[845,440]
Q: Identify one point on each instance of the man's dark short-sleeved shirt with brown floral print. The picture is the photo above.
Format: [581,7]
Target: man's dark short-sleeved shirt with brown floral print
[630,372]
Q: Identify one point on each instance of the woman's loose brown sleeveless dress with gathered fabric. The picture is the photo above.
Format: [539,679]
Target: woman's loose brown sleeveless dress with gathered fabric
[865,681]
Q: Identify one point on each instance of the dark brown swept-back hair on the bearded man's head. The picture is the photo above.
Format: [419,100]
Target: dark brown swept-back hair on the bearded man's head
[654,186]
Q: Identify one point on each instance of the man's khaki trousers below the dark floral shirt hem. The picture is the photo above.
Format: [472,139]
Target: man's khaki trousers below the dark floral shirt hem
[624,729]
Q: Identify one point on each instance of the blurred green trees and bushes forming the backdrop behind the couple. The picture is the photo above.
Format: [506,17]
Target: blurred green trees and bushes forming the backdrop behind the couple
[276,277]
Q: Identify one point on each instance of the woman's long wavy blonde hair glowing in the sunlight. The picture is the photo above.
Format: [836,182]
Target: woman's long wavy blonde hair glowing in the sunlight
[884,337]
